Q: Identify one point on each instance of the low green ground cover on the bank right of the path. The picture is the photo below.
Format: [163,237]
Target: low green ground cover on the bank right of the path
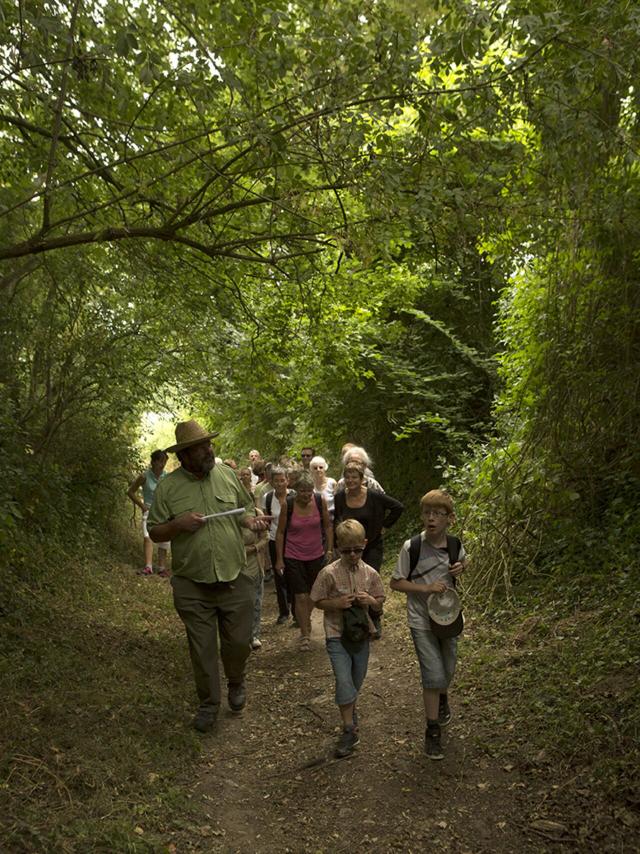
[562,660]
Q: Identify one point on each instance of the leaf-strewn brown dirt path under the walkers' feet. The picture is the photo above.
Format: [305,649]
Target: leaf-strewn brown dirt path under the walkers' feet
[268,781]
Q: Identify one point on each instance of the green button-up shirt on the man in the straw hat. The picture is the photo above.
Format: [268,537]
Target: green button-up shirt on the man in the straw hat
[216,551]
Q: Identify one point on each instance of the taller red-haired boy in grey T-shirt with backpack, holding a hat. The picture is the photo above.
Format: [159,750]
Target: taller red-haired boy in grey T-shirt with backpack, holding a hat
[434,571]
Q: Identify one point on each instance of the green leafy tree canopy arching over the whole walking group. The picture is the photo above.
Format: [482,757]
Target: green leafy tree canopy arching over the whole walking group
[409,224]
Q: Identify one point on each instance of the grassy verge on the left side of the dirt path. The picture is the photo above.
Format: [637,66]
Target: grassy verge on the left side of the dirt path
[89,666]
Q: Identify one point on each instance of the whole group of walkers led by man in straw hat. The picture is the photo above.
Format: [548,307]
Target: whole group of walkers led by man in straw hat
[322,541]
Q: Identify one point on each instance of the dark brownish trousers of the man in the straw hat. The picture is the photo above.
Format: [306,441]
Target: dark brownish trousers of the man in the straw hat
[206,611]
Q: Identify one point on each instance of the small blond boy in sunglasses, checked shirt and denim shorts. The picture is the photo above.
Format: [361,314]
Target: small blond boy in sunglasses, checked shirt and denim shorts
[340,585]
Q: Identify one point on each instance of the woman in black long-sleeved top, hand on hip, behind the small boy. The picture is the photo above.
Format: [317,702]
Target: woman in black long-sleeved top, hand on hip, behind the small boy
[375,511]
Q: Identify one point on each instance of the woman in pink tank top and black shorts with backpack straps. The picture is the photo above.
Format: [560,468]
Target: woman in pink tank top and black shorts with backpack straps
[303,537]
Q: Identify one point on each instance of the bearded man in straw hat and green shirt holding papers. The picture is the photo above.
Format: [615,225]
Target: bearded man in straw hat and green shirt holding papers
[212,591]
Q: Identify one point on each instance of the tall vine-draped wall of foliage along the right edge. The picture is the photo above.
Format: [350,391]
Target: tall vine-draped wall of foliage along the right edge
[561,475]
